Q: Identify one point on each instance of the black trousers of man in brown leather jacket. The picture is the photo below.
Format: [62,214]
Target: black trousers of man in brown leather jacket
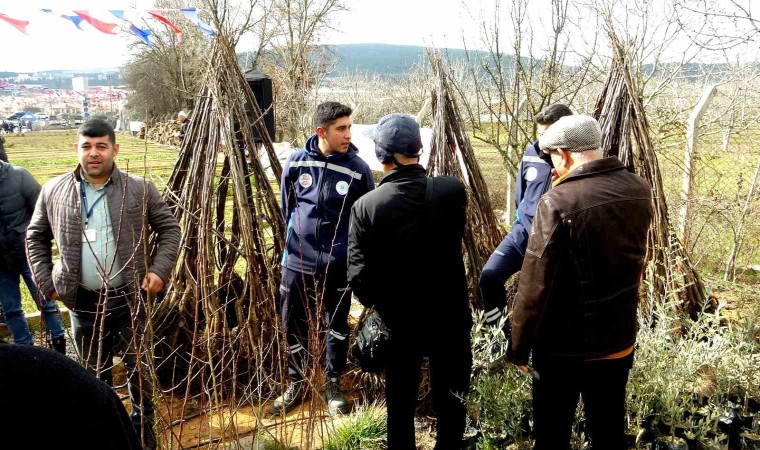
[600,383]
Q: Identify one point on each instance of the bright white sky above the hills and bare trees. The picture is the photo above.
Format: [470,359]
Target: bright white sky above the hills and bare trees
[54,43]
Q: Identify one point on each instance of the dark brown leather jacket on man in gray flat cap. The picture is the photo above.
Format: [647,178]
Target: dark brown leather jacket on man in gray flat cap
[579,284]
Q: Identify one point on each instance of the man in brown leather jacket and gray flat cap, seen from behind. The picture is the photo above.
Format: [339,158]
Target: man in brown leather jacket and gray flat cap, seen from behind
[579,287]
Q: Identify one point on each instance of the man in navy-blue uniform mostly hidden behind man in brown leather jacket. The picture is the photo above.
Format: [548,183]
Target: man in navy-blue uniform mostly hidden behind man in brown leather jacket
[534,180]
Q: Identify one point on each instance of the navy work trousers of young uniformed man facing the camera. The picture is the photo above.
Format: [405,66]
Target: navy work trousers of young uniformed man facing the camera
[306,297]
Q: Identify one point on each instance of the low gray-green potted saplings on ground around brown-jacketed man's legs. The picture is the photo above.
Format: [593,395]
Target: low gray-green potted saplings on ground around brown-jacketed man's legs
[694,385]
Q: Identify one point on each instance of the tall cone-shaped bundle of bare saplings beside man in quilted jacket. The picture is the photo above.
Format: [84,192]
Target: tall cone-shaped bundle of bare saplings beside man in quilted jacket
[217,327]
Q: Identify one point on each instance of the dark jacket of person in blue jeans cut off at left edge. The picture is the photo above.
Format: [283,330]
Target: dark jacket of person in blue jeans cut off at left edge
[18,195]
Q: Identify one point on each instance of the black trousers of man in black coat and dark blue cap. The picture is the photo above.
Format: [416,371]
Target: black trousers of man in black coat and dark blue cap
[450,363]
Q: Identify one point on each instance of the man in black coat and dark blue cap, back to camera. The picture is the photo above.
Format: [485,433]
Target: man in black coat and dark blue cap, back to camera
[405,259]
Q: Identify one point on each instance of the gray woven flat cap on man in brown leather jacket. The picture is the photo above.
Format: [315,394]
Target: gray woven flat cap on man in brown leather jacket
[572,133]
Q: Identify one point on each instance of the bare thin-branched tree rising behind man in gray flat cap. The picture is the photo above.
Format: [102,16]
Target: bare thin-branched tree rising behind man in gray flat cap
[513,77]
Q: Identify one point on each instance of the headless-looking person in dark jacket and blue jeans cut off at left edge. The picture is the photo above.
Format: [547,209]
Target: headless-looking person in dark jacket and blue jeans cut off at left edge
[18,195]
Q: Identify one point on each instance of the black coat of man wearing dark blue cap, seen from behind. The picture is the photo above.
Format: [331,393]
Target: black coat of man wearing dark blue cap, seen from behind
[405,258]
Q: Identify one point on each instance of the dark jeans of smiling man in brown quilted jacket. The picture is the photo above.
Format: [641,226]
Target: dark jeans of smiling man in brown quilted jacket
[113,314]
